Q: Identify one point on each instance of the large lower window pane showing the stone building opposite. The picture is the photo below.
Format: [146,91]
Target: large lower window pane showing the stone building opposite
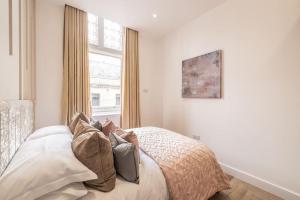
[105,80]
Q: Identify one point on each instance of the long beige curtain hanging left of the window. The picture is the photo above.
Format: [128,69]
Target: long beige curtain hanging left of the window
[76,87]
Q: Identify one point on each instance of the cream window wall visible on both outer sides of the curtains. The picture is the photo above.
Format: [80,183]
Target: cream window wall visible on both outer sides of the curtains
[49,31]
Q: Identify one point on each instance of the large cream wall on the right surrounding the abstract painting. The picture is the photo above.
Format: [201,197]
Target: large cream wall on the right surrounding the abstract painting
[255,127]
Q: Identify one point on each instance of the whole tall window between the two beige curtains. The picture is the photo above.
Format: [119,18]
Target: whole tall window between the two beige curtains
[105,61]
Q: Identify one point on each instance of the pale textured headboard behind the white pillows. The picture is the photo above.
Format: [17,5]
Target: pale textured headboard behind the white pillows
[16,123]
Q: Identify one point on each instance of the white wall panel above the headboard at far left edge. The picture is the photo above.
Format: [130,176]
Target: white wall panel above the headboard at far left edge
[9,64]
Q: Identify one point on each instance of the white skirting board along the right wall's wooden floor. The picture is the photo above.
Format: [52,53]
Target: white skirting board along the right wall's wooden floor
[261,183]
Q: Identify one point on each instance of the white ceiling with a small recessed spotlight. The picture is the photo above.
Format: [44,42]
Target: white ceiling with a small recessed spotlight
[137,14]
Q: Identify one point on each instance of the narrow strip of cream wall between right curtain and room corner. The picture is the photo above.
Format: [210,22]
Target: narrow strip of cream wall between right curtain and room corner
[150,83]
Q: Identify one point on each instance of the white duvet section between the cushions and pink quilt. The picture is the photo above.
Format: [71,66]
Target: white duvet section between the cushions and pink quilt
[152,185]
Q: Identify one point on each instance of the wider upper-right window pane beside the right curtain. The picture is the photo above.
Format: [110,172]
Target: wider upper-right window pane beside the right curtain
[112,35]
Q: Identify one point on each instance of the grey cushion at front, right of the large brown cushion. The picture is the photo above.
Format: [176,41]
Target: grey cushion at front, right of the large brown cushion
[126,158]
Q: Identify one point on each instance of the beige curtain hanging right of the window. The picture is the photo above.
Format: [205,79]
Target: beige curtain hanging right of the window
[130,115]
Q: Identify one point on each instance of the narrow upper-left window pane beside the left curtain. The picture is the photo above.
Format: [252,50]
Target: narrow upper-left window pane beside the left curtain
[93,28]
